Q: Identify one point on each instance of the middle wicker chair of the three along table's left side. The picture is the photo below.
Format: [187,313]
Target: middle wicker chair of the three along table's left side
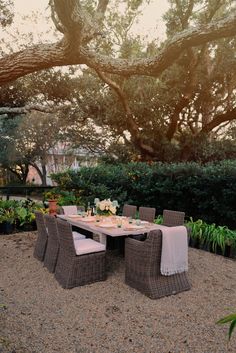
[52,250]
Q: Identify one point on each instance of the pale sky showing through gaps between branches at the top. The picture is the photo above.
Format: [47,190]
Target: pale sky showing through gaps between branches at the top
[151,23]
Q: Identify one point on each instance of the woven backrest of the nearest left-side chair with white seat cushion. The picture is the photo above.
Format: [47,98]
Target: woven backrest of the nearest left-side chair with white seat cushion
[65,236]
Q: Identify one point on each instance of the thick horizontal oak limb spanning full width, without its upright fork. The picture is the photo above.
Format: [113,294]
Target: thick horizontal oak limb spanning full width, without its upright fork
[65,53]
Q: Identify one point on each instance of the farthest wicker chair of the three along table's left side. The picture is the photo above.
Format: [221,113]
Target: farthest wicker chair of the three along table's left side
[41,242]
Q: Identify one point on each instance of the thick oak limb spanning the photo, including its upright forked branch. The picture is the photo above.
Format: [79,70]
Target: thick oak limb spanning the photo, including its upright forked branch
[80,28]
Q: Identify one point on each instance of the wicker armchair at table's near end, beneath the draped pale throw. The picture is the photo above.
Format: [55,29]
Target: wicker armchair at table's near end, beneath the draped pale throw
[142,268]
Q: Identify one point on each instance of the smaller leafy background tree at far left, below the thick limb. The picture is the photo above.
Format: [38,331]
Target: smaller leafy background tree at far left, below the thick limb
[26,139]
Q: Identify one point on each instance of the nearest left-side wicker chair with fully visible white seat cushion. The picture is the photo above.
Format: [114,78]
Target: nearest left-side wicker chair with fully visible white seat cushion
[74,270]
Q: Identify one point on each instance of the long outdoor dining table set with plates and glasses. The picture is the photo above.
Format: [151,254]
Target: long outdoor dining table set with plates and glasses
[113,226]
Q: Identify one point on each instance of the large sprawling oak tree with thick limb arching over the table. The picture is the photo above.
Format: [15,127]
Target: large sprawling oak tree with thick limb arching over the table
[180,70]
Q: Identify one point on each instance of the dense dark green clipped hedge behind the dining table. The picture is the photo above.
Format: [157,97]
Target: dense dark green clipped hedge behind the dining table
[207,192]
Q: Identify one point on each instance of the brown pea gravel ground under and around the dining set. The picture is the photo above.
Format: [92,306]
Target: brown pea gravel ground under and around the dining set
[40,316]
